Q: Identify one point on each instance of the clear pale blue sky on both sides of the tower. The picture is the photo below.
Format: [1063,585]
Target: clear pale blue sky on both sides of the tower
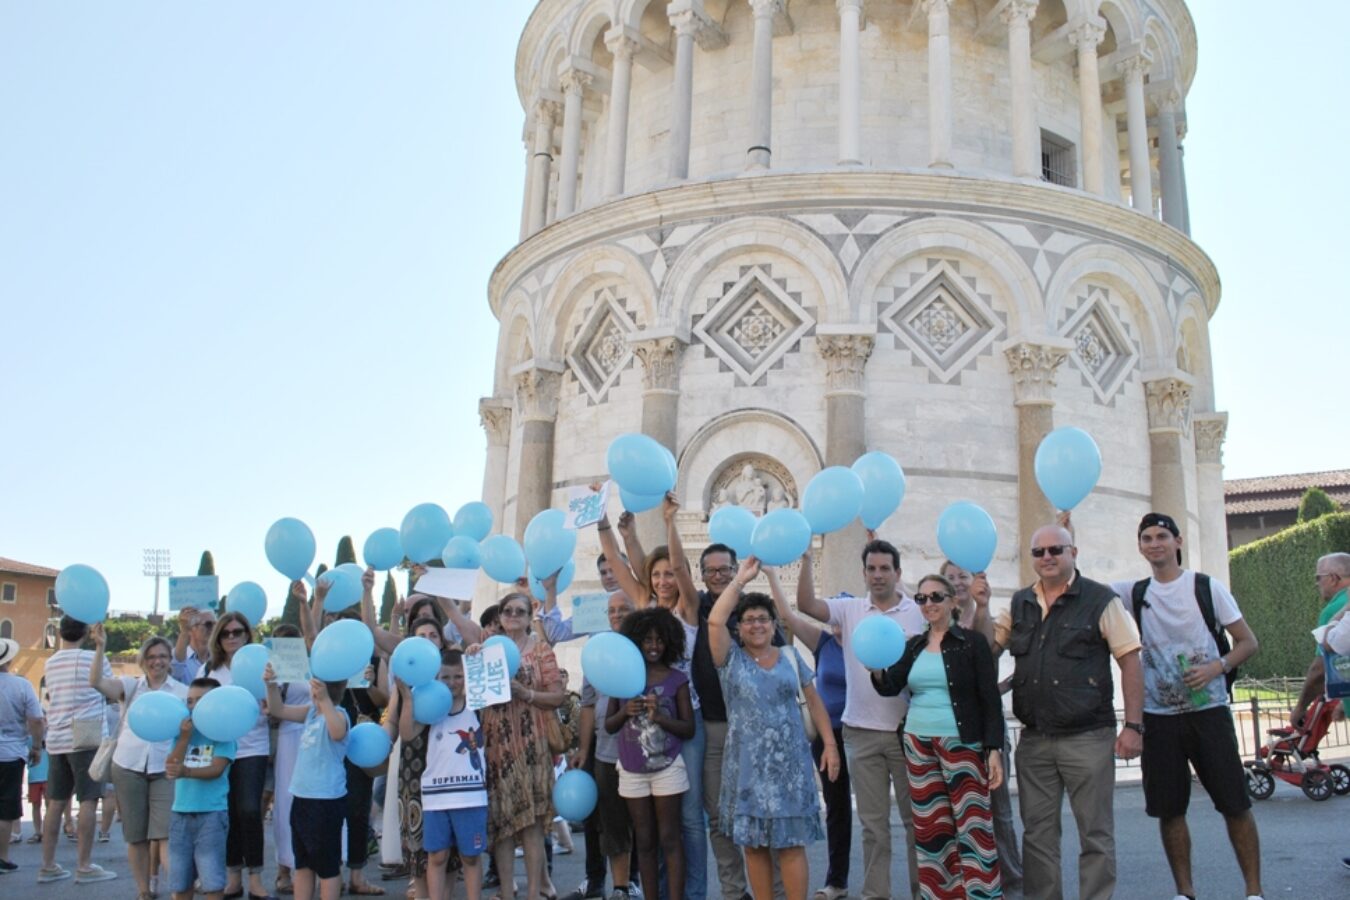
[245,252]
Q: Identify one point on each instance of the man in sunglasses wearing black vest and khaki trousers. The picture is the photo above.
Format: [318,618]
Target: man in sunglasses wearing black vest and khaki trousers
[1063,634]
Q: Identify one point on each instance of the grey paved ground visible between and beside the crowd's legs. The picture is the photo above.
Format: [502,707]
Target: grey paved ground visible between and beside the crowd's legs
[1302,849]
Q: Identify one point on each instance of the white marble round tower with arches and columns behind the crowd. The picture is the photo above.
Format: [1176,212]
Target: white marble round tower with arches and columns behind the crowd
[777,234]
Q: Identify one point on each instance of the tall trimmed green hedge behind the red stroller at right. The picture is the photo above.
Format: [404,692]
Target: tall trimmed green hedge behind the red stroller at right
[1274,582]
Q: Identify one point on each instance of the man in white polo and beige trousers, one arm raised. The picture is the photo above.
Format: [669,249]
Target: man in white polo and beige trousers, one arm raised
[875,756]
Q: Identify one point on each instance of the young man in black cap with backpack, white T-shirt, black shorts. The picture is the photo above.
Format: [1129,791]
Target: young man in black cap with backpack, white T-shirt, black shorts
[1187,665]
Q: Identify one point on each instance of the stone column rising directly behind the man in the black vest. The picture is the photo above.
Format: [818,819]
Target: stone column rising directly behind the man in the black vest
[1033,369]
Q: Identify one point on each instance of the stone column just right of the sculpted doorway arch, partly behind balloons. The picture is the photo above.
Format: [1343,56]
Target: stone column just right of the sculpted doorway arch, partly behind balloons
[846,357]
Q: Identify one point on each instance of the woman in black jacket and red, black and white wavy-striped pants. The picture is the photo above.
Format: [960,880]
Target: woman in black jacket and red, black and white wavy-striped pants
[952,741]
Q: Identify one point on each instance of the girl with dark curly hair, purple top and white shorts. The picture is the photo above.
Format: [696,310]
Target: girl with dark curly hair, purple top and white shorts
[651,728]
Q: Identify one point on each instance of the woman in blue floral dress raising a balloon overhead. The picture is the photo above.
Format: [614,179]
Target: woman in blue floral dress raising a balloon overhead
[769,801]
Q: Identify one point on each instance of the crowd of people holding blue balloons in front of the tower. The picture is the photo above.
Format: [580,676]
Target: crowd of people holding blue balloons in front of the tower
[738,744]
